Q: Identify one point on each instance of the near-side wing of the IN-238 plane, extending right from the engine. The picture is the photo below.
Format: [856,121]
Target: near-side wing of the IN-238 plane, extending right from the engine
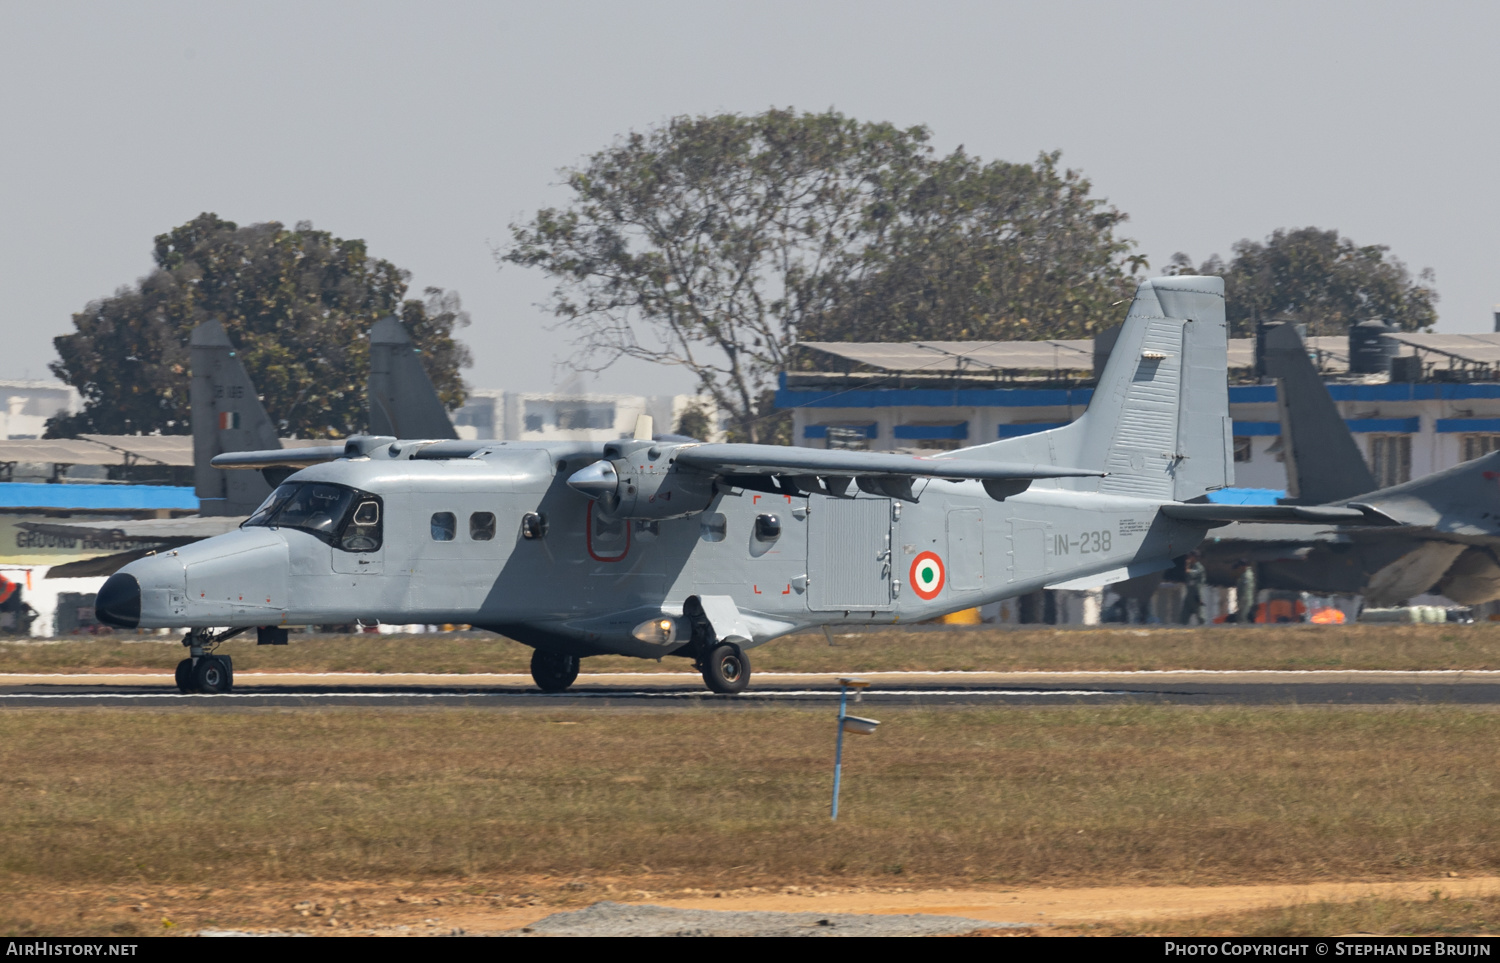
[785,469]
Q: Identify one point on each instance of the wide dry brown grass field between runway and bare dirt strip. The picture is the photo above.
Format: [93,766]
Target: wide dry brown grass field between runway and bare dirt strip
[95,800]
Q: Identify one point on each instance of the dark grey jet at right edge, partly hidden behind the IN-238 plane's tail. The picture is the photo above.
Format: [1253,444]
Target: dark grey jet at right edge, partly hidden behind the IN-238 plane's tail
[1439,533]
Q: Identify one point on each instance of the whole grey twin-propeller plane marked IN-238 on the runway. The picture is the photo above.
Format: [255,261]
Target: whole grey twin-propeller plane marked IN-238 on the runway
[704,551]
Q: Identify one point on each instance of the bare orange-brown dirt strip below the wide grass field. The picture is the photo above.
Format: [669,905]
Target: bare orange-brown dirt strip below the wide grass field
[403,908]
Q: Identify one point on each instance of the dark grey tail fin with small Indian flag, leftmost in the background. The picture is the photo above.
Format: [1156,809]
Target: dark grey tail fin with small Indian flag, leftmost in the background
[227,416]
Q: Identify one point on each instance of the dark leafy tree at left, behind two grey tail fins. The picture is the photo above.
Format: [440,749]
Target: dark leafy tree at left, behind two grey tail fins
[298,305]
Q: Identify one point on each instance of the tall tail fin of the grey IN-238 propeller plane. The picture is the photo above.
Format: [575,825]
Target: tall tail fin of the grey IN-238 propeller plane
[1159,422]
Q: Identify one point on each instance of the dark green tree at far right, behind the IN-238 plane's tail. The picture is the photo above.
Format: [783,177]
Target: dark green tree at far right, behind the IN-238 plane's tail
[1321,280]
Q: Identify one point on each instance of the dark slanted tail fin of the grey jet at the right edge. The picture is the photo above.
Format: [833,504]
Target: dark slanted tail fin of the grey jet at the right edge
[1324,463]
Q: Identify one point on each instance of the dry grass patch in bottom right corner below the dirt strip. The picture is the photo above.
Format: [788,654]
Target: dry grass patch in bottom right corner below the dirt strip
[1439,916]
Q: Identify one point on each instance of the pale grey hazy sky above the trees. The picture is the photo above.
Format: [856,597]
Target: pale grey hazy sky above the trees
[427,128]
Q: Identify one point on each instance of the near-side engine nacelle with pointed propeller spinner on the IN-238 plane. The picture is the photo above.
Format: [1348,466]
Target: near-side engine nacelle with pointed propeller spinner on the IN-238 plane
[640,481]
